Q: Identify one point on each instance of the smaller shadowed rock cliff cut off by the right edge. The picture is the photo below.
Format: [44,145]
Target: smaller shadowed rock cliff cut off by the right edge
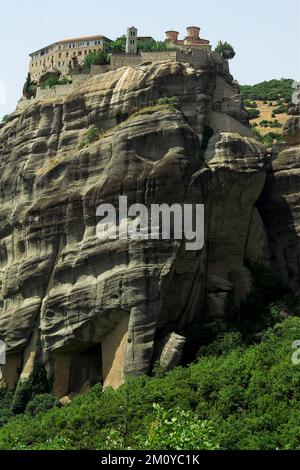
[279,205]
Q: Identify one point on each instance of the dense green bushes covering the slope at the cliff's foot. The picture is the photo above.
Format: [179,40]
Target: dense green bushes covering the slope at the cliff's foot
[242,392]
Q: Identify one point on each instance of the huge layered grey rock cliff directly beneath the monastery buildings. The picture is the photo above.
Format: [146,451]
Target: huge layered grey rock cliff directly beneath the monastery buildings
[95,310]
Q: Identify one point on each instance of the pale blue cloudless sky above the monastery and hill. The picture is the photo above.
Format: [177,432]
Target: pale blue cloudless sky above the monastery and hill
[264,33]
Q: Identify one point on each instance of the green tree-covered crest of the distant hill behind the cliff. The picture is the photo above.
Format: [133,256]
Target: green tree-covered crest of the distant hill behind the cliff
[269,90]
